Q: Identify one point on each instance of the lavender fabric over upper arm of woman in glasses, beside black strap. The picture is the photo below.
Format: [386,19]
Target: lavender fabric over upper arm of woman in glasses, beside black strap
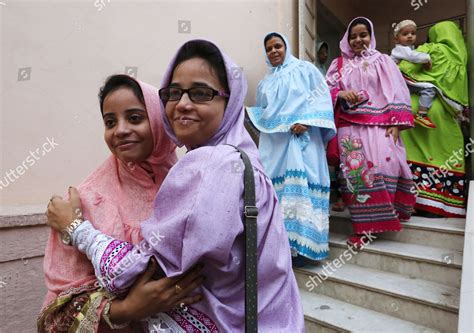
[203,224]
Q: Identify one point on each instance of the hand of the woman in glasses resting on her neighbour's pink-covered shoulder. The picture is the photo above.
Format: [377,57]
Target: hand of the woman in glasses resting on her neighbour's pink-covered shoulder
[61,212]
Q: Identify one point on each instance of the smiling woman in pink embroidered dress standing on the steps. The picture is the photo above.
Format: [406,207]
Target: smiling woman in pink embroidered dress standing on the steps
[377,185]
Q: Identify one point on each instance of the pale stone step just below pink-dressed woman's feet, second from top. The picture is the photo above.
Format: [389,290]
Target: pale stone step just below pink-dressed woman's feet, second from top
[412,260]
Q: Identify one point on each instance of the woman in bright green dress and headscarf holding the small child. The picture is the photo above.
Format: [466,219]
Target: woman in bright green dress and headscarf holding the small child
[437,156]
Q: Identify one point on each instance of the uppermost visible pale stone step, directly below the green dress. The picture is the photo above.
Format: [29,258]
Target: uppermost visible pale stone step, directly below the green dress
[447,233]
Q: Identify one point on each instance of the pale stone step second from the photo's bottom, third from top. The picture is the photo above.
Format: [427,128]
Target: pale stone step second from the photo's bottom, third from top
[419,301]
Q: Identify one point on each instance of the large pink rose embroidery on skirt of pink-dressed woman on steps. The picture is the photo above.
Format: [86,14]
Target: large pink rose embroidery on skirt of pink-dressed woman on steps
[358,171]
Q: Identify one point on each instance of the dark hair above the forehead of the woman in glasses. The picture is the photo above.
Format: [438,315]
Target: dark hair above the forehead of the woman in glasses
[207,51]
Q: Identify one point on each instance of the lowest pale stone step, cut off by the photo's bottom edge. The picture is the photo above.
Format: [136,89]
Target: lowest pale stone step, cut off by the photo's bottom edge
[326,314]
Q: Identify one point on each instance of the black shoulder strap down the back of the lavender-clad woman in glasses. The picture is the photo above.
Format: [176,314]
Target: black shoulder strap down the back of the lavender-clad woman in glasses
[250,229]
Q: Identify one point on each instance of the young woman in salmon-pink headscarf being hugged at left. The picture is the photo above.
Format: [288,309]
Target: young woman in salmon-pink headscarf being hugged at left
[116,196]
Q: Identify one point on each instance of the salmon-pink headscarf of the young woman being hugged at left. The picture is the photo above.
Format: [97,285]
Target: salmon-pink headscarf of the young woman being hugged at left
[116,197]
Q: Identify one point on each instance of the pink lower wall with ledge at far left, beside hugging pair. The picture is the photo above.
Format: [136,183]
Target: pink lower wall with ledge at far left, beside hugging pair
[22,289]
